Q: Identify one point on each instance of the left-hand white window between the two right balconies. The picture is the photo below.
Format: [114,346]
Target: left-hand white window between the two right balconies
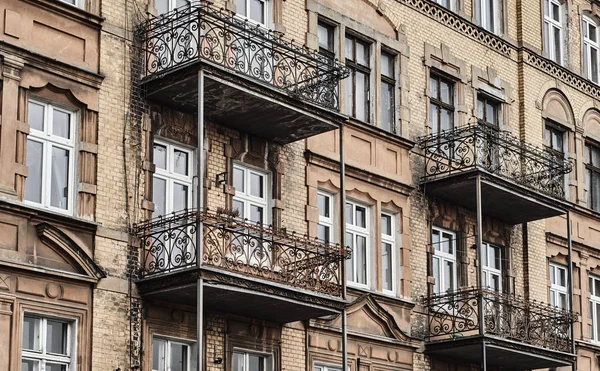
[444,260]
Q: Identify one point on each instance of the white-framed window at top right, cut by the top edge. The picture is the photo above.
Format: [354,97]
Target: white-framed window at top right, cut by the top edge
[554,29]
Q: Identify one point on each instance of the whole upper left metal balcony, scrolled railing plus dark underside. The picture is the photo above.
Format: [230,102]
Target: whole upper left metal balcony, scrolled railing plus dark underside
[256,80]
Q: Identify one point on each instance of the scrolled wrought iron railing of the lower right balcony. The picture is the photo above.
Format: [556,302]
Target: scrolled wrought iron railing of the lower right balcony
[456,314]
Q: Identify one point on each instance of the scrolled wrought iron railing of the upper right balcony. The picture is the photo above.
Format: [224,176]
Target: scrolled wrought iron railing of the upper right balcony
[497,152]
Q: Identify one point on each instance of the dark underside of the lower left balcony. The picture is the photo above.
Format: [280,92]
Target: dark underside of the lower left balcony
[235,294]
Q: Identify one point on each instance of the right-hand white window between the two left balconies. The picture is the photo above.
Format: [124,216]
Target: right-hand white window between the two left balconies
[251,193]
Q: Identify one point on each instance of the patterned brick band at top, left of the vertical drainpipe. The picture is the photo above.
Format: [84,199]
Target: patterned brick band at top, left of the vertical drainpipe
[458,23]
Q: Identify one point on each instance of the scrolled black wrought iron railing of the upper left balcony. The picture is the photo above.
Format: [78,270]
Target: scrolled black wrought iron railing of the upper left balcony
[219,37]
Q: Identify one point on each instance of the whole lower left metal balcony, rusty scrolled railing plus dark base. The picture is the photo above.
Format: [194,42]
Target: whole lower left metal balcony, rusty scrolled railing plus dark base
[251,269]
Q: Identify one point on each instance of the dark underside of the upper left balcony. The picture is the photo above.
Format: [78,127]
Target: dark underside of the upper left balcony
[234,101]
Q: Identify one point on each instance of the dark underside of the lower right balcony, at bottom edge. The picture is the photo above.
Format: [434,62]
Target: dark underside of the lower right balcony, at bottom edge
[499,353]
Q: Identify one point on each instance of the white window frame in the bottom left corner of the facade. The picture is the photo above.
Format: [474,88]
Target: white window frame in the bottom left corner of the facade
[42,356]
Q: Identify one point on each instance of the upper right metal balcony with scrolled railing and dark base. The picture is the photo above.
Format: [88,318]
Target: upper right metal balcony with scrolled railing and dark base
[520,182]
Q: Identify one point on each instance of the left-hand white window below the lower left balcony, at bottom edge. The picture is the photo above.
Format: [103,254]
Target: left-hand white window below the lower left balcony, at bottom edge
[169,355]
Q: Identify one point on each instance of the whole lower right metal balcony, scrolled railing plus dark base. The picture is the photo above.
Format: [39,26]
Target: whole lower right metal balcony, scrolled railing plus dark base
[518,333]
